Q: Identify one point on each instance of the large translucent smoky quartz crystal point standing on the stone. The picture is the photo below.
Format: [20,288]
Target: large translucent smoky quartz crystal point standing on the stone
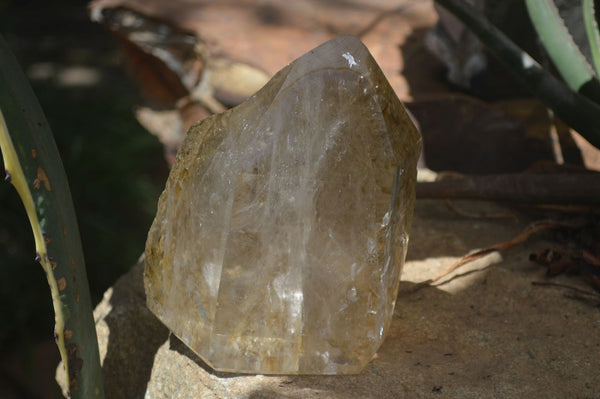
[282,231]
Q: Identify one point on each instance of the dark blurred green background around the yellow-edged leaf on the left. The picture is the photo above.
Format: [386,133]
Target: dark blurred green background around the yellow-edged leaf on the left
[116,171]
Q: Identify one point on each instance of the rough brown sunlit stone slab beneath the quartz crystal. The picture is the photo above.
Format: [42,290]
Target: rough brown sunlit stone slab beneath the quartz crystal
[486,333]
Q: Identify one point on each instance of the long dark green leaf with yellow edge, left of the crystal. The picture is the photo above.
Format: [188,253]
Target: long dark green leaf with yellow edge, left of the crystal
[33,166]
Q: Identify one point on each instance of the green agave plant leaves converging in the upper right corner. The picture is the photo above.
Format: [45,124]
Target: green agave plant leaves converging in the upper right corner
[576,100]
